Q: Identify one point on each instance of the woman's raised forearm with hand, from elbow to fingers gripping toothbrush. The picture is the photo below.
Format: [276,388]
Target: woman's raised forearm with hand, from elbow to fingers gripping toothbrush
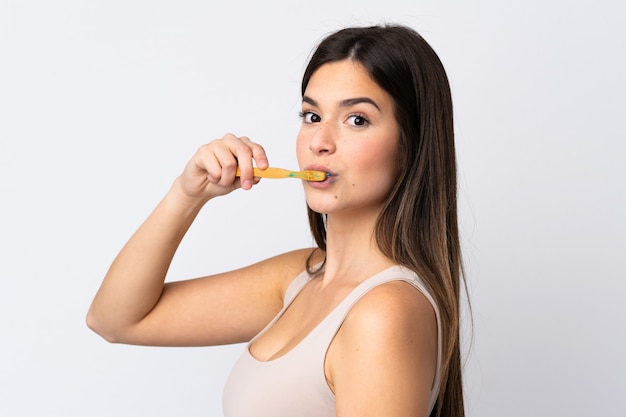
[134,283]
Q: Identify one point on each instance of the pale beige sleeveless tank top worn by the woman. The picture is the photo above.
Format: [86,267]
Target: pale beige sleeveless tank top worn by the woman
[294,384]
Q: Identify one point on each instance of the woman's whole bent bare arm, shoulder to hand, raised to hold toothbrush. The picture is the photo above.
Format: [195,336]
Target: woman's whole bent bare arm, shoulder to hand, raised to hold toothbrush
[134,306]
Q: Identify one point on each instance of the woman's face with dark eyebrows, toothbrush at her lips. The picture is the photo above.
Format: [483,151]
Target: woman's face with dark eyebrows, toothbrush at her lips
[348,130]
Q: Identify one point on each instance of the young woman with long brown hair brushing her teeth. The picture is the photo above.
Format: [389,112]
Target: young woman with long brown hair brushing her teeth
[367,323]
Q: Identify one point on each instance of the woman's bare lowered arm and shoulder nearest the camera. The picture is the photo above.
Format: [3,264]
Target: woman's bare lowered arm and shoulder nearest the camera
[382,361]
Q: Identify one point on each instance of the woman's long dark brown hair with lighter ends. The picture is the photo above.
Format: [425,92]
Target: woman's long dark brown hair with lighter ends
[417,226]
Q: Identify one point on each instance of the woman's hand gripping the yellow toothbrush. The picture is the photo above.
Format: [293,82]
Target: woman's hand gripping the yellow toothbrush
[211,171]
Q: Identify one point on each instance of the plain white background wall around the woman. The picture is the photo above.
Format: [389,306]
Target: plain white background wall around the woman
[103,102]
